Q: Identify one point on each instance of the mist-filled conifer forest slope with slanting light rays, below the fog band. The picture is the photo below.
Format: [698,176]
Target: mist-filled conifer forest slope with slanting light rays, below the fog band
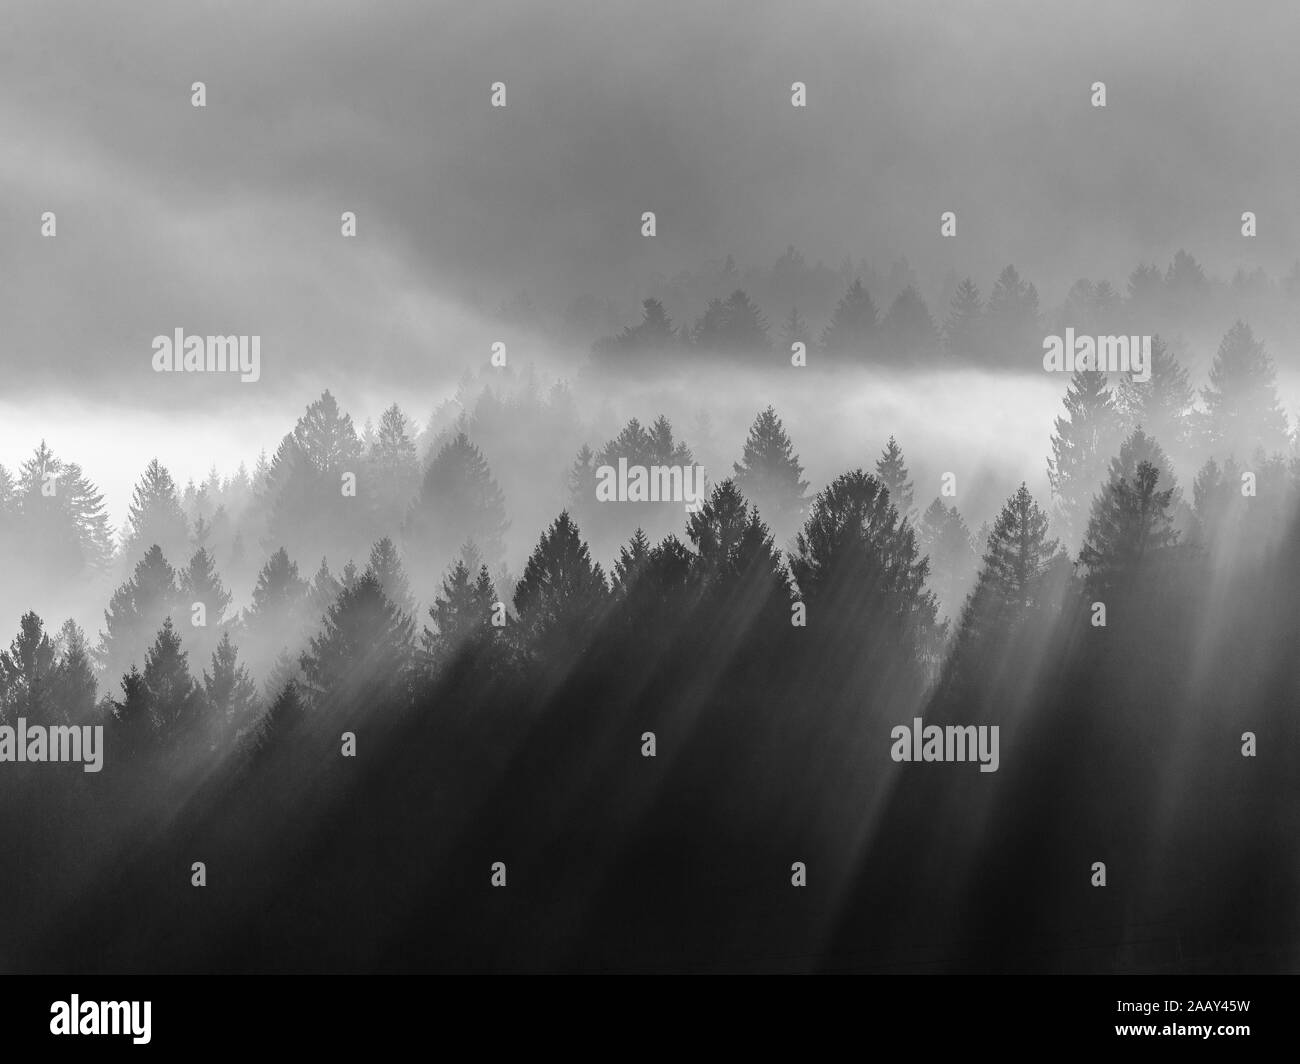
[391,710]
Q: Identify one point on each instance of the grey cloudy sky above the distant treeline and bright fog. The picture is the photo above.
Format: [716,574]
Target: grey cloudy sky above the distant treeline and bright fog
[227,219]
